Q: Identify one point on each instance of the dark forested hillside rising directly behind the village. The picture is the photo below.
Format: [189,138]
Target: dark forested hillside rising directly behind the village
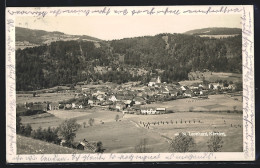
[172,55]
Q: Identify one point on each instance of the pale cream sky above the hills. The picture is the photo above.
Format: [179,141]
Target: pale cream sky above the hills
[118,27]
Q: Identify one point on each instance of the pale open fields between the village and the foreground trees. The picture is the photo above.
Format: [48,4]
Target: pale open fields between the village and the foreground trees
[122,136]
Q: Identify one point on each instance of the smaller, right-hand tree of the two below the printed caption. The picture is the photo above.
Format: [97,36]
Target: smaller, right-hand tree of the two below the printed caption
[215,143]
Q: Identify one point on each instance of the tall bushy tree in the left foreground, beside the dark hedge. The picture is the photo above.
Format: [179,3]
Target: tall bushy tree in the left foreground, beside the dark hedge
[68,130]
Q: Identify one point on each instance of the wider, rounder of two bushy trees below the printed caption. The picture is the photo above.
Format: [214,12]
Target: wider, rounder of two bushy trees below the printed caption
[182,143]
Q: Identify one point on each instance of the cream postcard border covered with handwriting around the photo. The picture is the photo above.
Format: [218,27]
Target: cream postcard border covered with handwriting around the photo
[247,20]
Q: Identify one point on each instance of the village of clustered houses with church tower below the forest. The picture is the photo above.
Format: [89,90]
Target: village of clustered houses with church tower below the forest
[132,97]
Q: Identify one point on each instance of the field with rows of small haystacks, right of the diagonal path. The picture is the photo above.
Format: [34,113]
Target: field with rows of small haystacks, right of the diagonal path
[204,122]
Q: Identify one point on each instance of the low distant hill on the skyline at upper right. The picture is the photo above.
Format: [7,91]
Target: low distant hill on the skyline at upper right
[215,31]
